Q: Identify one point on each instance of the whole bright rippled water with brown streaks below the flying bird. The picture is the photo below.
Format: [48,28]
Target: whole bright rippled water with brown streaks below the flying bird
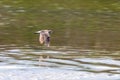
[59,59]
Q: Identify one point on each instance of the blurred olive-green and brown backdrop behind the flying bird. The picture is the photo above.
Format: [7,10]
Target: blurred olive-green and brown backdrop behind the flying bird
[80,23]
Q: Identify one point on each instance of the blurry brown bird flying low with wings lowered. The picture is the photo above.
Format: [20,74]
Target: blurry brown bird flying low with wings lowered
[44,37]
